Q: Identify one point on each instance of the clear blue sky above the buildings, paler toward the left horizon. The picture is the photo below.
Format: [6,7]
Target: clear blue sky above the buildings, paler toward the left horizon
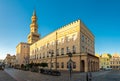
[102,17]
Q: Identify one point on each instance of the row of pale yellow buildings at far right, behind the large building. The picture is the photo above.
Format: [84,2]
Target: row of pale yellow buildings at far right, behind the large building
[107,61]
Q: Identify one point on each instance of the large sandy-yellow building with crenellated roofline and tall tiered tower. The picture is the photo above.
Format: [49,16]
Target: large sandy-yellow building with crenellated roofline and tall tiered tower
[74,38]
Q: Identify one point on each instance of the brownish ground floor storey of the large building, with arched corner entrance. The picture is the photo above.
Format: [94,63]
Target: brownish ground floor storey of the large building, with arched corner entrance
[83,62]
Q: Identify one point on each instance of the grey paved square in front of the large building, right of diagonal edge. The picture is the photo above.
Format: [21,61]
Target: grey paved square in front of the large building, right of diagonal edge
[20,75]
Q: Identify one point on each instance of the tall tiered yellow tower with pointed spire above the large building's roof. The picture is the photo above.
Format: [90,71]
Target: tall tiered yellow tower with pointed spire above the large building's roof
[33,36]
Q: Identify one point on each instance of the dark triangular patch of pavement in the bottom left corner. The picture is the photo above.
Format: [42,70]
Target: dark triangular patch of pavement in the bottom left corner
[5,77]
